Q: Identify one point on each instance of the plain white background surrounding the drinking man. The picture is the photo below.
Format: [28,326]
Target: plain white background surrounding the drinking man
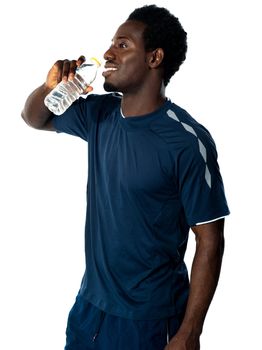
[43,175]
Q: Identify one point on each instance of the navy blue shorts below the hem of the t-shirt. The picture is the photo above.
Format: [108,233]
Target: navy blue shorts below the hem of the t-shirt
[90,328]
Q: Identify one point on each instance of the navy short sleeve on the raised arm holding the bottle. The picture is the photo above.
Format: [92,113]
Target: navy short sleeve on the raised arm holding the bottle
[77,118]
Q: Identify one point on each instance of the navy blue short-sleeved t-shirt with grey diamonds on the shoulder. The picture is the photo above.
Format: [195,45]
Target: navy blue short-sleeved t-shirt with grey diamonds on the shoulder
[149,179]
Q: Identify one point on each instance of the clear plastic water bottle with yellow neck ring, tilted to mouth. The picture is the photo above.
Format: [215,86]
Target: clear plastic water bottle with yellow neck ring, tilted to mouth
[65,93]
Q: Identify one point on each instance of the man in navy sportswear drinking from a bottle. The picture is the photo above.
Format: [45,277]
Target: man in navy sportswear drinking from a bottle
[152,175]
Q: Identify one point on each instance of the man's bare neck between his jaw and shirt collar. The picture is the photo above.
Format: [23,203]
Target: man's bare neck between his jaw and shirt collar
[140,103]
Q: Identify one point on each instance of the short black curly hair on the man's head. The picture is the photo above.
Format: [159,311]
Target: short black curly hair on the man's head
[163,30]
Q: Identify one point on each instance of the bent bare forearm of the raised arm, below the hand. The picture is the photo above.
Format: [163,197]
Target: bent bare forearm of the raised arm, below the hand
[35,113]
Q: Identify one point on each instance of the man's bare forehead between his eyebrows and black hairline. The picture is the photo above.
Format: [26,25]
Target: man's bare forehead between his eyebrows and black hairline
[131,30]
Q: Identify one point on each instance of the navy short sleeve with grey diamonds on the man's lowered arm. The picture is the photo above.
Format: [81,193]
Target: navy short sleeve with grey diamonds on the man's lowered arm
[200,183]
